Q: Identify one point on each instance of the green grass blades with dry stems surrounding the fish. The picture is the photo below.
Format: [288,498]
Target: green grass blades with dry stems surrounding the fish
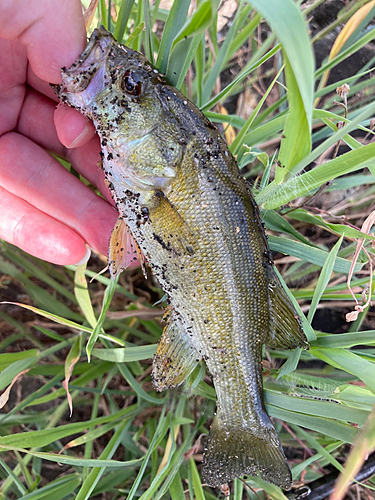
[124,439]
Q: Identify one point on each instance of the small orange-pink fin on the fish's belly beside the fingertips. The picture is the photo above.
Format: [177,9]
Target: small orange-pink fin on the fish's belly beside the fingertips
[123,249]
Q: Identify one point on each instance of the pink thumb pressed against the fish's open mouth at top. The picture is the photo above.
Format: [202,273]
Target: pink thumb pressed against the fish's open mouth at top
[53,33]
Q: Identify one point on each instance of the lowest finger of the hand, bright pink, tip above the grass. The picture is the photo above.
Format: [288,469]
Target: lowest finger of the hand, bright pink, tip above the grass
[37,233]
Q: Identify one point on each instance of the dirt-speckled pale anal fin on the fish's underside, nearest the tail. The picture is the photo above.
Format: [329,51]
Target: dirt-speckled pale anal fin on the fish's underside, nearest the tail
[175,358]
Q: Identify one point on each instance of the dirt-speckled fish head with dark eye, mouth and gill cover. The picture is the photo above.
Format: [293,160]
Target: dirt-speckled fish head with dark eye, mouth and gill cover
[121,92]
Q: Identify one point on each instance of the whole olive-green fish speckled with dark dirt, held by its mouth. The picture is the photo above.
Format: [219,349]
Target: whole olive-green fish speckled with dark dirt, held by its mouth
[186,210]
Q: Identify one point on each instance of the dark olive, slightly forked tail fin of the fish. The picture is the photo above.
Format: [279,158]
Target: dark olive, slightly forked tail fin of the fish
[233,452]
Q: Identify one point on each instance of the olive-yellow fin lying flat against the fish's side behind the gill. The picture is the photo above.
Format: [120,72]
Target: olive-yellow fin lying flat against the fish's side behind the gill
[171,230]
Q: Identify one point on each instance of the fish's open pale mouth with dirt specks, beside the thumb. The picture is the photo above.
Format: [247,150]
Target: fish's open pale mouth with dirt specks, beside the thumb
[78,77]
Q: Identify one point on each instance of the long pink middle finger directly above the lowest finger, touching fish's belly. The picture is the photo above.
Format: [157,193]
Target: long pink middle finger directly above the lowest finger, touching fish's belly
[45,184]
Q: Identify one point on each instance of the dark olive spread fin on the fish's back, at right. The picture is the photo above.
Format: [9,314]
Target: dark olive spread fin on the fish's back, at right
[286,328]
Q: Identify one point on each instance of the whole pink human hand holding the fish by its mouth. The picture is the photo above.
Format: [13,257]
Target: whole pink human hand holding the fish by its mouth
[45,210]
